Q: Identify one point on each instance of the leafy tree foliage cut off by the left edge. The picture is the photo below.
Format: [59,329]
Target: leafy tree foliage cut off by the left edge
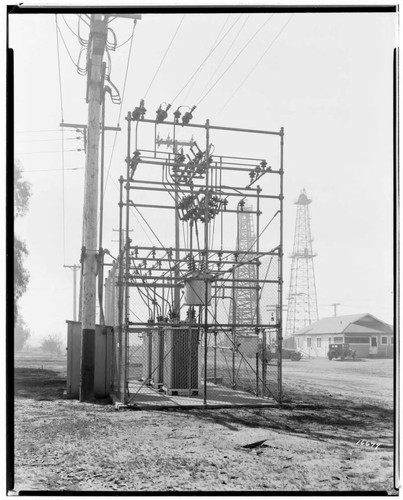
[22,193]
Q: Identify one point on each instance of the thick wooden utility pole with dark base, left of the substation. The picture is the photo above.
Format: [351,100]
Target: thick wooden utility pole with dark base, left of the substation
[96,48]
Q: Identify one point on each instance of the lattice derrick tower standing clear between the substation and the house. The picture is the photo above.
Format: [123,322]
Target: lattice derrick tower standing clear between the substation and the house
[302,302]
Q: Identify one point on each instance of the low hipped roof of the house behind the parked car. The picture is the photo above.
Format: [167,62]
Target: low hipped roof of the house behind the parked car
[352,323]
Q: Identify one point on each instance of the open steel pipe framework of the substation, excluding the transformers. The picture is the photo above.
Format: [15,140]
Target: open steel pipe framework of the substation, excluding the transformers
[131,255]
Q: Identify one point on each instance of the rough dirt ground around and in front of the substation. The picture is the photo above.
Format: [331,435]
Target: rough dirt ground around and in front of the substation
[308,444]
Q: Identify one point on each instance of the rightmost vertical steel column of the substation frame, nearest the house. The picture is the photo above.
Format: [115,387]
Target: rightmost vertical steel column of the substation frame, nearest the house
[280,272]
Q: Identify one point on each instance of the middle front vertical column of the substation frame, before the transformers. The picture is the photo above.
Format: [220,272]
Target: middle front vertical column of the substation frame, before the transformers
[206,256]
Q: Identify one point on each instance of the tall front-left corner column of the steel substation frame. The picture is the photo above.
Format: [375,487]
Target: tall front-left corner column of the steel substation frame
[127,260]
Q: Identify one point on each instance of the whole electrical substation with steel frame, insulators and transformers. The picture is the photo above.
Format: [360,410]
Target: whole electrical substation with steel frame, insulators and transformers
[188,306]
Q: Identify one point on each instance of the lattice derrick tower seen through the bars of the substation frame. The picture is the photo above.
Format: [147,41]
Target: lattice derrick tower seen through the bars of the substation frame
[245,299]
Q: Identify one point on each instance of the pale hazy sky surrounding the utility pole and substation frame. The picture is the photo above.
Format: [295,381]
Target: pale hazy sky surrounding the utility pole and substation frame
[326,78]
